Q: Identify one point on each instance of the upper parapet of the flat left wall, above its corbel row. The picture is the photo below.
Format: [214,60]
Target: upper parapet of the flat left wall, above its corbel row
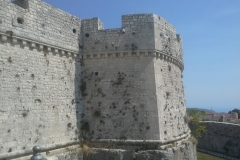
[38,21]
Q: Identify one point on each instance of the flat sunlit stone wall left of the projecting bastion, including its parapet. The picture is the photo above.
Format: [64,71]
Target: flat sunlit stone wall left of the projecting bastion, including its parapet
[38,76]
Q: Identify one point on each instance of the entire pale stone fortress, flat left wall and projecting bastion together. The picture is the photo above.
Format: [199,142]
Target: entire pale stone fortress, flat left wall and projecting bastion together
[62,78]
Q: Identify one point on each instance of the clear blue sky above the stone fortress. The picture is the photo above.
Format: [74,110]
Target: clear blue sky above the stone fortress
[210,30]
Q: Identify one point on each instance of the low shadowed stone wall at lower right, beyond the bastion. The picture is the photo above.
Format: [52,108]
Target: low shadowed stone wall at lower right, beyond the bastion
[221,138]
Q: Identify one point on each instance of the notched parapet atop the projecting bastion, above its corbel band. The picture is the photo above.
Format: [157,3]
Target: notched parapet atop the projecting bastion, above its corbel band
[139,32]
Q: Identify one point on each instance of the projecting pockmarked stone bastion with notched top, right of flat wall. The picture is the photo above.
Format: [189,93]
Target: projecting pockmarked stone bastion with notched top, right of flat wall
[131,84]
